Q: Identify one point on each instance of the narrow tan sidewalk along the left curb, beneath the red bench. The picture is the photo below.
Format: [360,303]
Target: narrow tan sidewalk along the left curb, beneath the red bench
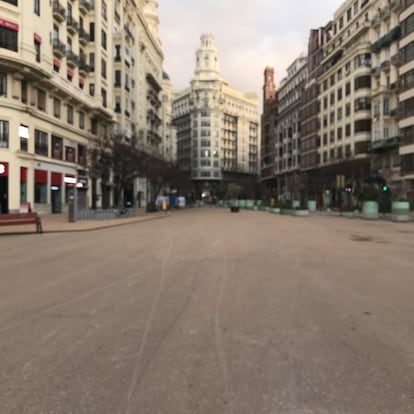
[57,223]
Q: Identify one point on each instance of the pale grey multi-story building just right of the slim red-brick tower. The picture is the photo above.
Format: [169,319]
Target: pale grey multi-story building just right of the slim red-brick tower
[287,160]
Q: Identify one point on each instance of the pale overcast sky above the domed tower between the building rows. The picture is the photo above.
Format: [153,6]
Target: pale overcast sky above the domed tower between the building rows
[249,34]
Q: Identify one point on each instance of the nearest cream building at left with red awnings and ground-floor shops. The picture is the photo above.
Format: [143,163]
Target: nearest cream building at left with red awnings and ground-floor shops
[53,102]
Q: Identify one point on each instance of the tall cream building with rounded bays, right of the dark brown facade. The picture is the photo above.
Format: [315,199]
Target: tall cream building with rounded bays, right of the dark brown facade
[345,100]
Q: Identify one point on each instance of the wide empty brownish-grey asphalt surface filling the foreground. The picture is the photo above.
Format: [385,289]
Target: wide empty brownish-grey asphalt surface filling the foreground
[209,312]
